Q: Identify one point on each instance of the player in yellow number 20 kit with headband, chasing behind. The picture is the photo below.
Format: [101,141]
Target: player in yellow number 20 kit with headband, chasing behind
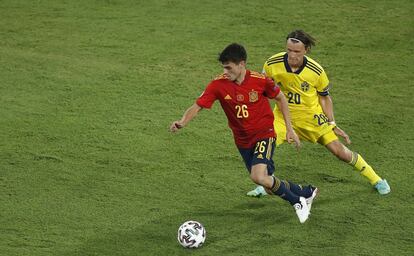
[306,87]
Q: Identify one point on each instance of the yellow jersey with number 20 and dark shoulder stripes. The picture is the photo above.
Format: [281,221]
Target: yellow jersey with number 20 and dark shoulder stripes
[301,87]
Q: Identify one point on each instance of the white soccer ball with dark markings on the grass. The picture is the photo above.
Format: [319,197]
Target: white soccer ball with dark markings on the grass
[191,234]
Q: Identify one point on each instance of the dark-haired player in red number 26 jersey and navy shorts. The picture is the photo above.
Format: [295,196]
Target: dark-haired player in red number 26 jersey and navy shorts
[243,95]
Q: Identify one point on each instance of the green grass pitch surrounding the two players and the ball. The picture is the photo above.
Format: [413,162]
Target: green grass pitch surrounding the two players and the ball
[89,88]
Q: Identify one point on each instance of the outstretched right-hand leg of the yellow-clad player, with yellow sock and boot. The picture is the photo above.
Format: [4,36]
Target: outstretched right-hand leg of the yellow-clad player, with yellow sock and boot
[330,140]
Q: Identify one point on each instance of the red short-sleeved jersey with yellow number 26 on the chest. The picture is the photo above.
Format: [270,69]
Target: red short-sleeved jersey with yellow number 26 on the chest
[246,106]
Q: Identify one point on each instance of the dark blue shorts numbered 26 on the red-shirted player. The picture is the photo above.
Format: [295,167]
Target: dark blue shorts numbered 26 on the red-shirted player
[261,153]
